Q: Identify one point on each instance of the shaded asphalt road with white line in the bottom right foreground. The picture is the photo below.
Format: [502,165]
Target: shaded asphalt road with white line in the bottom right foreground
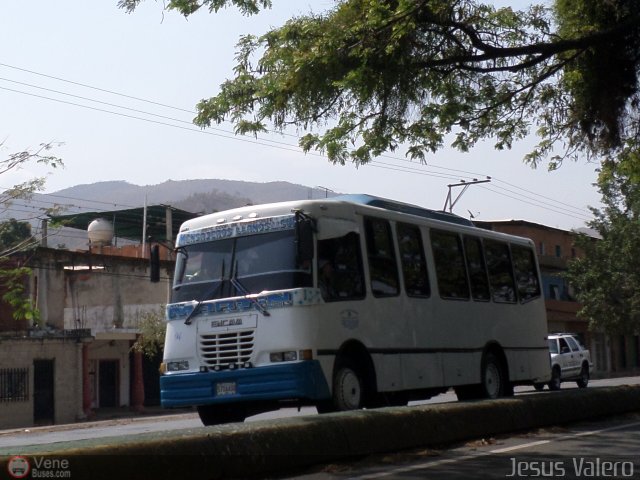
[602,449]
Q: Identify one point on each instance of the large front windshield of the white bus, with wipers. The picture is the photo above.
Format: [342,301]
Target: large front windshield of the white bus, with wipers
[258,263]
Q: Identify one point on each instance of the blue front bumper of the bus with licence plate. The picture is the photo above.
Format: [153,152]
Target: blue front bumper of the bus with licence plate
[301,380]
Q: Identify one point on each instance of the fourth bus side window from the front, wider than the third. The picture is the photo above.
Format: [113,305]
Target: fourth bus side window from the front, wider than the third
[449,263]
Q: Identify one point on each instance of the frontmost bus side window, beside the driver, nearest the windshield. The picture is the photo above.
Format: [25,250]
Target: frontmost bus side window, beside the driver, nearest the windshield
[340,268]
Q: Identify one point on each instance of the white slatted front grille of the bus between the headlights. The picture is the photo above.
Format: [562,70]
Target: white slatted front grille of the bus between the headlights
[224,349]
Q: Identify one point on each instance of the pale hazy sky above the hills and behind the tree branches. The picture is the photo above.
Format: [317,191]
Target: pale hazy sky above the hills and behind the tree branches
[120,91]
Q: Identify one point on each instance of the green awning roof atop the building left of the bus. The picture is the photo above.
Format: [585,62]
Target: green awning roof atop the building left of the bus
[128,223]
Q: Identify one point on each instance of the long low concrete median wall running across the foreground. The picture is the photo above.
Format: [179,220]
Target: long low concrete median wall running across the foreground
[261,448]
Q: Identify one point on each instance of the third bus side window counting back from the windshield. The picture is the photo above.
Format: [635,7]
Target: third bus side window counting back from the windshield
[414,265]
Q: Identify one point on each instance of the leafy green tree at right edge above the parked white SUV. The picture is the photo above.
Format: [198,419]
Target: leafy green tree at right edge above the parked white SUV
[607,277]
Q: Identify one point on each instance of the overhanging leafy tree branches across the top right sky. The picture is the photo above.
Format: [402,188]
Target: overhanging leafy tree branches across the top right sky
[370,76]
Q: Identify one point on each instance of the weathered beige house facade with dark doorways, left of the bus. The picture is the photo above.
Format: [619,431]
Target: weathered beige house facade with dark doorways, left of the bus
[78,357]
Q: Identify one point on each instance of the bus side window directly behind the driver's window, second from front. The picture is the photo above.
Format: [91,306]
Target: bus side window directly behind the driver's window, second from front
[383,267]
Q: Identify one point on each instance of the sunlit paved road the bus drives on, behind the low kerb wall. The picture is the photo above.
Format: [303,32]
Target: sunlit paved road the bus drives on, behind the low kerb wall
[137,425]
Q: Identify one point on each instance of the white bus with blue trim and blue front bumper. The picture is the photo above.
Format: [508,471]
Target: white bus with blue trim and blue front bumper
[346,303]
